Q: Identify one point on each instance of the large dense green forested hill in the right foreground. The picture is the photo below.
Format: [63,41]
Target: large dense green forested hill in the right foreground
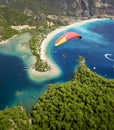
[86,102]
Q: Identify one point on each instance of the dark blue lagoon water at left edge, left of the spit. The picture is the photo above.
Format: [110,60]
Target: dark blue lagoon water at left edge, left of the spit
[12,78]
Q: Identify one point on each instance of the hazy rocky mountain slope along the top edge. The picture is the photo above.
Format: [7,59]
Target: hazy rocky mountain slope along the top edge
[76,8]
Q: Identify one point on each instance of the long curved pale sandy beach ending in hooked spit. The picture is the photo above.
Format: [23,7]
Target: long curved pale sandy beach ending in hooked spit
[55,71]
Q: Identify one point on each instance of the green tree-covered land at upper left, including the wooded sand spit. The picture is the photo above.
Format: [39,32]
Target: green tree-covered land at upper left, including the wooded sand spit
[44,25]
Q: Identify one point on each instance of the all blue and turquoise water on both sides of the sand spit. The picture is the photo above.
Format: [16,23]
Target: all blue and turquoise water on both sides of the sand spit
[96,45]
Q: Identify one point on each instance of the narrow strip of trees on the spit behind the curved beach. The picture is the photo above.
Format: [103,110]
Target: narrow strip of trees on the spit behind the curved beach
[38,36]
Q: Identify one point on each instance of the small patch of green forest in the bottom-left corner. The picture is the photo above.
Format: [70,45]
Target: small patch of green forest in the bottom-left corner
[14,119]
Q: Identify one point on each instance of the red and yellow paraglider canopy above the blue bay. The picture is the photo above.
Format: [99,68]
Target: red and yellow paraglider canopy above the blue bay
[67,36]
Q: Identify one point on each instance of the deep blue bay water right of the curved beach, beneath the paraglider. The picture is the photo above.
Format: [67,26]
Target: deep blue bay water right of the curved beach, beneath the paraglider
[97,40]
